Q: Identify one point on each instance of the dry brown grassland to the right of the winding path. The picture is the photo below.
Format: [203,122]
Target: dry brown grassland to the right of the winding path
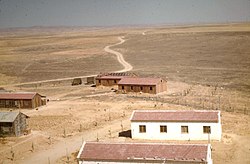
[214,58]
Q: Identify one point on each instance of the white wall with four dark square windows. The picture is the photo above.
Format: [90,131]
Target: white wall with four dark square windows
[195,131]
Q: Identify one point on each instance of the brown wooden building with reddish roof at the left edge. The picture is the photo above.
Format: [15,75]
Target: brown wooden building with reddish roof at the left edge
[21,100]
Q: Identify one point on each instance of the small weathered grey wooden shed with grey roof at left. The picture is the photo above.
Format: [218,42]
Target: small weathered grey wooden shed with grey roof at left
[13,123]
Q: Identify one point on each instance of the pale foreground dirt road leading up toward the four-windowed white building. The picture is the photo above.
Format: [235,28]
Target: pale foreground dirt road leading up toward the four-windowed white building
[73,144]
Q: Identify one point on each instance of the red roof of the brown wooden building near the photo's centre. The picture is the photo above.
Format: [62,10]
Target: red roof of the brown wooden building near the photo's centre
[139,81]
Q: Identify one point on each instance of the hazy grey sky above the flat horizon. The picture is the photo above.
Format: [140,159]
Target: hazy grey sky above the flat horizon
[27,13]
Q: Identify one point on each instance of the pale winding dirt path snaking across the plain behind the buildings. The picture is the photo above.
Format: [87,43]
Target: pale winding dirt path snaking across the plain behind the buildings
[127,66]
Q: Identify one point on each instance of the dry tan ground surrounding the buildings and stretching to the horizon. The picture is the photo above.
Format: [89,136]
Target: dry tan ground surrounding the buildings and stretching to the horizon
[207,67]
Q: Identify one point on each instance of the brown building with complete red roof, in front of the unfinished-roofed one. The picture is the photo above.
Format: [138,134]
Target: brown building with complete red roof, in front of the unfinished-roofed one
[145,85]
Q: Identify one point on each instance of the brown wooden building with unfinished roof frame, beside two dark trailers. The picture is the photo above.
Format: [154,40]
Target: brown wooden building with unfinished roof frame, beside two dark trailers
[111,79]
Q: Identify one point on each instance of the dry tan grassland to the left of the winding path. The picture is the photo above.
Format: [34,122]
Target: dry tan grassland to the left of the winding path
[43,57]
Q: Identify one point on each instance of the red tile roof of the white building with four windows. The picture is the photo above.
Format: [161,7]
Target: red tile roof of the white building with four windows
[176,115]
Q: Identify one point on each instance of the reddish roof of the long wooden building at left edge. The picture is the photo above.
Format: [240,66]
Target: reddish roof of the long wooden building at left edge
[16,96]
